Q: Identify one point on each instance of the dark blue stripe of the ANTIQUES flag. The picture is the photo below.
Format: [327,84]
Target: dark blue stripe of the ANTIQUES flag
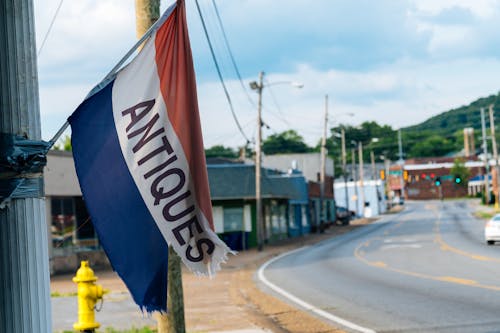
[126,229]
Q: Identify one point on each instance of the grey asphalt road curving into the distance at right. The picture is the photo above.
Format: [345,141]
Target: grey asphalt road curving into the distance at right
[427,269]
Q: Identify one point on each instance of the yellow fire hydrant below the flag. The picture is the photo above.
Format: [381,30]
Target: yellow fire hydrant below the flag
[88,294]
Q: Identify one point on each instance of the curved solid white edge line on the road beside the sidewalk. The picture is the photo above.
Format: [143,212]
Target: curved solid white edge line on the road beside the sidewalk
[303,304]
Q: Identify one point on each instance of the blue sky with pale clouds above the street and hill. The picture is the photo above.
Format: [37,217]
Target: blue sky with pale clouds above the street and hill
[394,62]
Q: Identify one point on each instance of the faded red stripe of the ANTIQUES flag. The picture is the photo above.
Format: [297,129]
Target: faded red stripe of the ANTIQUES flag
[178,88]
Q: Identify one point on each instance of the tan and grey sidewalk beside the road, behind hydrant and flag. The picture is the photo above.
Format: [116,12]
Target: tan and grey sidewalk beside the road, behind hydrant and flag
[230,303]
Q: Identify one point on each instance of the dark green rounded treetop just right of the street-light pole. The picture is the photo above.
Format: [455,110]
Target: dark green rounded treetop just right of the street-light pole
[286,142]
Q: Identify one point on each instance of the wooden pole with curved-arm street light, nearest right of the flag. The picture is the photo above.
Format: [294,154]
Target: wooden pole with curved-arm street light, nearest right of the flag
[259,86]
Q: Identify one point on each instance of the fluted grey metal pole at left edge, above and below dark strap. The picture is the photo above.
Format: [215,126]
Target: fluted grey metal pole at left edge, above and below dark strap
[24,265]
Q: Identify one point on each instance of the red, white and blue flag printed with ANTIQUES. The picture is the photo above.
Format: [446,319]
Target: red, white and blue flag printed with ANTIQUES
[139,158]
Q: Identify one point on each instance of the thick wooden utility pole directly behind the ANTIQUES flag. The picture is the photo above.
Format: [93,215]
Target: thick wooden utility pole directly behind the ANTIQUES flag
[147,12]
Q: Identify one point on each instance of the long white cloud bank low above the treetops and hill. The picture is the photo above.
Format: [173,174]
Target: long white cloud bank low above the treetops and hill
[399,95]
